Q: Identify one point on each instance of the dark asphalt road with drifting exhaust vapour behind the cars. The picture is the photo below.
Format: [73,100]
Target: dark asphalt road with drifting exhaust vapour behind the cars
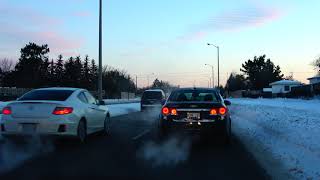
[133,151]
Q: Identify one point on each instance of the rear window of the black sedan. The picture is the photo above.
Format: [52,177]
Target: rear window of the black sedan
[194,95]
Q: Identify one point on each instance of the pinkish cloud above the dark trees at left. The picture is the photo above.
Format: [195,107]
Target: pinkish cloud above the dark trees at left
[20,25]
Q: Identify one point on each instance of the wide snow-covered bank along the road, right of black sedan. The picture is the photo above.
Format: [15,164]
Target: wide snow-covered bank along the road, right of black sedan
[283,134]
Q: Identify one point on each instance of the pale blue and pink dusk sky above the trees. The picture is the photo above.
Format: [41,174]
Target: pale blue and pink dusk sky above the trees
[169,37]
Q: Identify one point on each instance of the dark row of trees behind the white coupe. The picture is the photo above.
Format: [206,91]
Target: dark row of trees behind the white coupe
[34,69]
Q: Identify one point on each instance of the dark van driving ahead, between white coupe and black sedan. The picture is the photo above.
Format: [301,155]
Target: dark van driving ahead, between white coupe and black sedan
[153,98]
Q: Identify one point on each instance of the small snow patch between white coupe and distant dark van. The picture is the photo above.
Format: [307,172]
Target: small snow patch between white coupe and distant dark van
[122,109]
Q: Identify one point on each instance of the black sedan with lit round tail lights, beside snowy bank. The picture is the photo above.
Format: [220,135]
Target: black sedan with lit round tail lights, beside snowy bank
[197,110]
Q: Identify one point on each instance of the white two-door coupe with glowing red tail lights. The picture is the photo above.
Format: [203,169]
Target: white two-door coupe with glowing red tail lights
[61,112]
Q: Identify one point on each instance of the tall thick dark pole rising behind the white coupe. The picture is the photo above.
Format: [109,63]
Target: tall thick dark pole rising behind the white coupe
[100,52]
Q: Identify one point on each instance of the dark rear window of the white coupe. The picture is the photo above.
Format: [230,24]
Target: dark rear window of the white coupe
[49,95]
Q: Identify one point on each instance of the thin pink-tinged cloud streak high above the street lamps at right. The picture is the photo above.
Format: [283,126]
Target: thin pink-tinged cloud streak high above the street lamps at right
[255,15]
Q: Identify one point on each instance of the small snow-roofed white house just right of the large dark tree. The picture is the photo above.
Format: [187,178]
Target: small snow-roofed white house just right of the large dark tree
[283,86]
